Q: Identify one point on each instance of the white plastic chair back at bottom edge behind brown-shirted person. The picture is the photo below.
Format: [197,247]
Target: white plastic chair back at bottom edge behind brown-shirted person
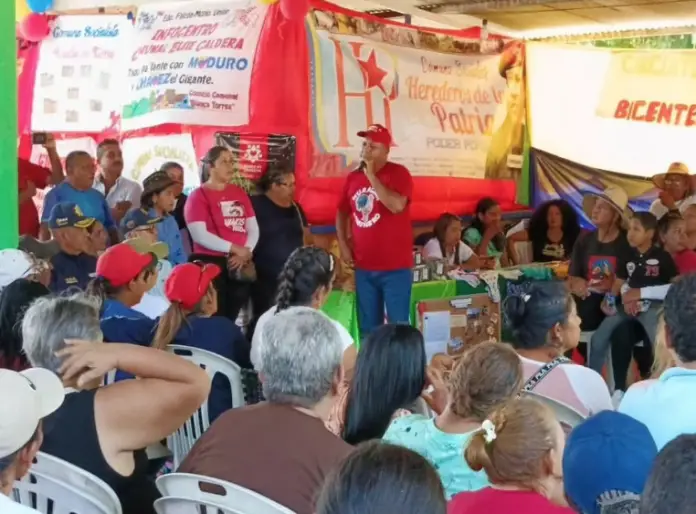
[234,498]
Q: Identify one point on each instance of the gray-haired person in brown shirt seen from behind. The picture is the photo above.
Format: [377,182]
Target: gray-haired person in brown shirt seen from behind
[281,448]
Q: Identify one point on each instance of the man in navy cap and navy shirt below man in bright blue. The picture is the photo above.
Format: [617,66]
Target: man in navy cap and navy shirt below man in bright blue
[72,267]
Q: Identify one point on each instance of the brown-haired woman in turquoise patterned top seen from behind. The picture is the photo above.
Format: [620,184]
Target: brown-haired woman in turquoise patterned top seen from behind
[488,375]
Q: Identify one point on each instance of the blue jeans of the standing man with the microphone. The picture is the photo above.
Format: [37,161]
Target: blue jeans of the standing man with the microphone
[376,290]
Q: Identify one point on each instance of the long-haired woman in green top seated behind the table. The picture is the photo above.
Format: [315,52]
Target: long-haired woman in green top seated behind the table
[485,234]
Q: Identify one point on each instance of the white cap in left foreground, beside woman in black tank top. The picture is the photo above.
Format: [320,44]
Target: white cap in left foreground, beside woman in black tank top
[30,396]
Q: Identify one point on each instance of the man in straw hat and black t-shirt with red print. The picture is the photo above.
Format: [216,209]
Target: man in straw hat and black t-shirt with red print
[597,254]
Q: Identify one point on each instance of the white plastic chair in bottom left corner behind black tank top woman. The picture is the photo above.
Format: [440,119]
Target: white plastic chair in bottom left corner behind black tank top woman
[48,495]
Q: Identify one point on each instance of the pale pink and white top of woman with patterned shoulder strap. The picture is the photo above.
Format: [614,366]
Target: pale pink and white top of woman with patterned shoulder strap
[577,386]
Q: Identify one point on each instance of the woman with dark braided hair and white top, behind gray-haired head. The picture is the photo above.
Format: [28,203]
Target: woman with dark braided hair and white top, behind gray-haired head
[305,281]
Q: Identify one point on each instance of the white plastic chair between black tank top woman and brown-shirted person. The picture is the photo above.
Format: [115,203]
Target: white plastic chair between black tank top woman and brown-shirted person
[181,441]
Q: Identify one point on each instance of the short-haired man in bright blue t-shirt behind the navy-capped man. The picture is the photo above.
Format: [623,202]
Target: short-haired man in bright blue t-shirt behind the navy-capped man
[77,189]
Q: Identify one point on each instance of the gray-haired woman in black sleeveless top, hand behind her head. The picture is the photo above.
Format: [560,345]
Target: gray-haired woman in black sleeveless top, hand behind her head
[103,430]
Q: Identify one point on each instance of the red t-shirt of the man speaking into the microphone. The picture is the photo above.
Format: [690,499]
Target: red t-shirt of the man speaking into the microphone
[382,240]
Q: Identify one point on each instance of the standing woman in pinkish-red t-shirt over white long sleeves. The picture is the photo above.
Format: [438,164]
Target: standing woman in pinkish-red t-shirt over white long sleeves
[223,227]
